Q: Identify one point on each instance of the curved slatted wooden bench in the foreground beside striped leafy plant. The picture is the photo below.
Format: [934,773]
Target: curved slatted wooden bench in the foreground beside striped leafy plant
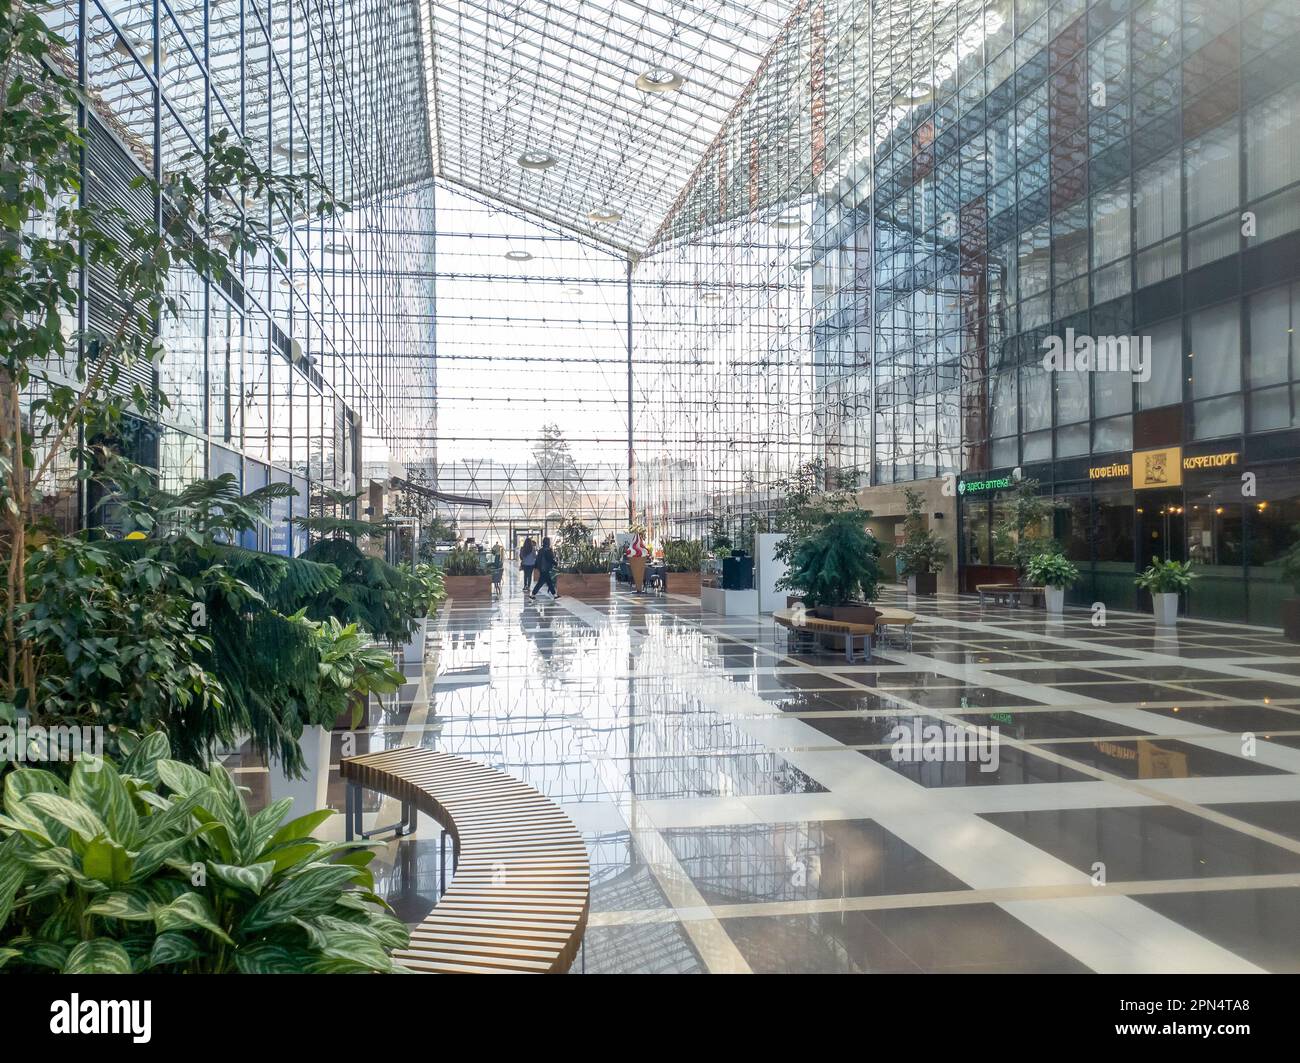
[521,893]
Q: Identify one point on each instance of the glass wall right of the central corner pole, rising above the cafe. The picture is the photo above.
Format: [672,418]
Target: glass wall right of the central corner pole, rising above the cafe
[913,197]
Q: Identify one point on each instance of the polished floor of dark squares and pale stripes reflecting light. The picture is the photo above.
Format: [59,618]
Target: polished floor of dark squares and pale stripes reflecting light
[751,810]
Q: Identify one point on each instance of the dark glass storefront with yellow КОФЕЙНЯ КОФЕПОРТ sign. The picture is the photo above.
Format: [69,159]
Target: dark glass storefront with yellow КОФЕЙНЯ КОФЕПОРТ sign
[1232,513]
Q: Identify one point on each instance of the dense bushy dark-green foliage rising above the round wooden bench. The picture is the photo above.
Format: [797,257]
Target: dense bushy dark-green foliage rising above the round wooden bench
[837,569]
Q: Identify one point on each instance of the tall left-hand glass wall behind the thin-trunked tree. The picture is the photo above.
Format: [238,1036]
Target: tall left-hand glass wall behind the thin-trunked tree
[300,372]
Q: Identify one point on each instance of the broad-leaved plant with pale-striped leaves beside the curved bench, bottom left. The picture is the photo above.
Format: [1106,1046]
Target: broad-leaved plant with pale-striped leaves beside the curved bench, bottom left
[161,867]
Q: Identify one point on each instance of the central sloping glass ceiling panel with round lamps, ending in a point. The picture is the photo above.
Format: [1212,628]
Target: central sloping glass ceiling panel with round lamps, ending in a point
[590,114]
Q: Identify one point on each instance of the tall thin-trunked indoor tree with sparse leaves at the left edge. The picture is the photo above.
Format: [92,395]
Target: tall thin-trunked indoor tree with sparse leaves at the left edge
[64,387]
